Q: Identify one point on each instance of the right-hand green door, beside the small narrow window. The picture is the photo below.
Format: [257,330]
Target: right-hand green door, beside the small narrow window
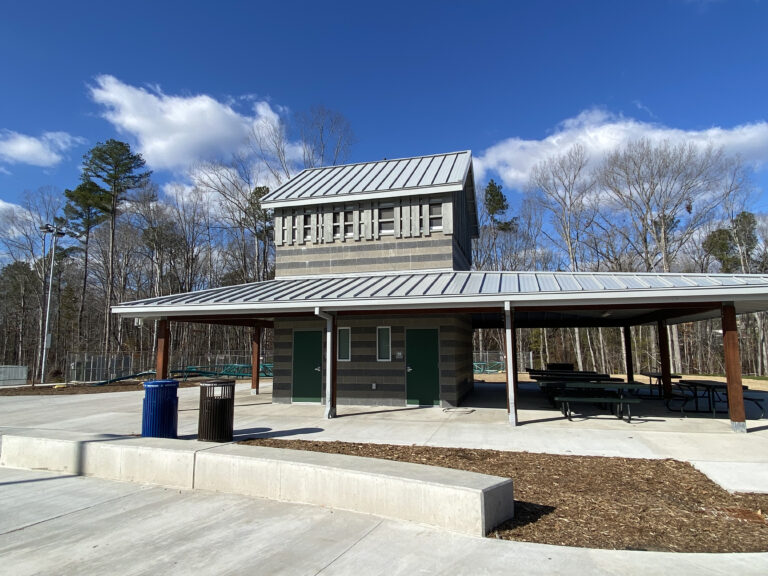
[422,356]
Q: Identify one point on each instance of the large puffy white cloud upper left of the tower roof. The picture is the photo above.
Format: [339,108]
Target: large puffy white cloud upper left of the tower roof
[174,132]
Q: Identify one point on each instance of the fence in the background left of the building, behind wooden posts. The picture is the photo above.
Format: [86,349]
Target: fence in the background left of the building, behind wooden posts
[85,367]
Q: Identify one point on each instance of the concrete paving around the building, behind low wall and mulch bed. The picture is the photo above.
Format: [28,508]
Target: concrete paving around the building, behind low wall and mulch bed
[738,462]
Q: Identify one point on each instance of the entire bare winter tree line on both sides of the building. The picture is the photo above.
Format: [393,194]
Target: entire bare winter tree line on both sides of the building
[646,206]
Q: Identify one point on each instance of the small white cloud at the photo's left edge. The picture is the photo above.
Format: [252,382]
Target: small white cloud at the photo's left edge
[44,151]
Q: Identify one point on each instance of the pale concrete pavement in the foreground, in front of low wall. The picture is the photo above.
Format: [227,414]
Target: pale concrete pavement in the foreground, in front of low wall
[52,524]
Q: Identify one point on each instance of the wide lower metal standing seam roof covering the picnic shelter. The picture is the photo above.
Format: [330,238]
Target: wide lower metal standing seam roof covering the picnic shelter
[456,289]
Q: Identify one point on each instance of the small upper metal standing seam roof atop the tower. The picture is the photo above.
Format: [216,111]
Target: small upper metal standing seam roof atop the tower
[384,178]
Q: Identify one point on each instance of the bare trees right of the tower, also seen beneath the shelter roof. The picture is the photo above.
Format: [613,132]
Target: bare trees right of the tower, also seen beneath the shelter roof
[645,207]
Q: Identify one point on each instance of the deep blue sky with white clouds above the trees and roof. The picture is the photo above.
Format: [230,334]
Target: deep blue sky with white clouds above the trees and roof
[513,81]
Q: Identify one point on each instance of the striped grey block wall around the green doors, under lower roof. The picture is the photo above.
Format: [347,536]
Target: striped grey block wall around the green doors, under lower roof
[356,377]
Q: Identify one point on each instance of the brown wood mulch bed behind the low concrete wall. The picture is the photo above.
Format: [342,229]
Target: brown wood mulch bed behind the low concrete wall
[596,502]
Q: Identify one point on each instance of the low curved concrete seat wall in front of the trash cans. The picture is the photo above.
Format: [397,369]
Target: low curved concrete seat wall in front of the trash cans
[454,500]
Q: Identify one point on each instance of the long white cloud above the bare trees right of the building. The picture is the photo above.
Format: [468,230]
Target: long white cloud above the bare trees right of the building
[600,132]
